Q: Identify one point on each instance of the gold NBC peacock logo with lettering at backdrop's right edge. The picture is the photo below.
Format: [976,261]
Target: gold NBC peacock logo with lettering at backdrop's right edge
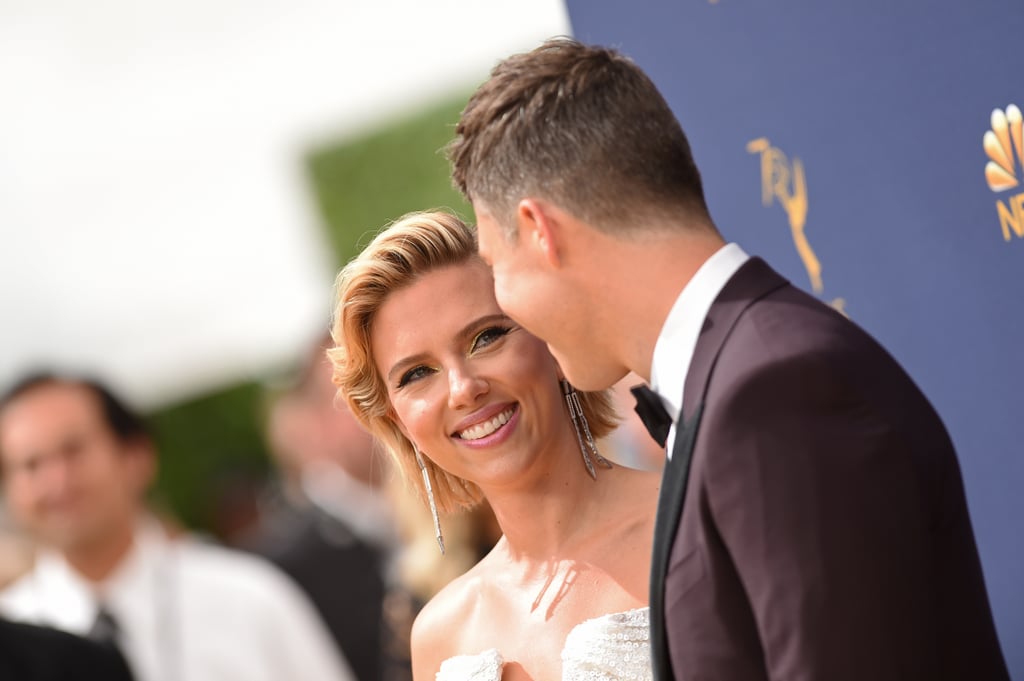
[1003,143]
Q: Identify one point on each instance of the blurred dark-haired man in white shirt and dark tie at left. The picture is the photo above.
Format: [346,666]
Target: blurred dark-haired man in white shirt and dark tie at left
[76,466]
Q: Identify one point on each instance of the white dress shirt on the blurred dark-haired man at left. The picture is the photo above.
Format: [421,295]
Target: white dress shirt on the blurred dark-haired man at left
[187,612]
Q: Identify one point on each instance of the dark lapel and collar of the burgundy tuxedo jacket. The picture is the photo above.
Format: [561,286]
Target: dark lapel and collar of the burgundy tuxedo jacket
[753,281]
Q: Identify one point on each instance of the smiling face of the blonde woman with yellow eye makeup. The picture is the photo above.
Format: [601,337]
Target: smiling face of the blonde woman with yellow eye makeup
[474,391]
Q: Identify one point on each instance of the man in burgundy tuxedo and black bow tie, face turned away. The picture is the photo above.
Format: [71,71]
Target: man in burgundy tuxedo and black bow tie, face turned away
[813,523]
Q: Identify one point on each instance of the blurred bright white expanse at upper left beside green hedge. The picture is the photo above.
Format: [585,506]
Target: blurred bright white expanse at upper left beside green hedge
[155,225]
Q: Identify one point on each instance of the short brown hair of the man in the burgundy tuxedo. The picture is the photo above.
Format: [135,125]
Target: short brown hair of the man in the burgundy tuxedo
[581,126]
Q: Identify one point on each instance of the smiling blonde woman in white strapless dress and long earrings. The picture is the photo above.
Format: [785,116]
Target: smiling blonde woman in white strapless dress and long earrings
[472,406]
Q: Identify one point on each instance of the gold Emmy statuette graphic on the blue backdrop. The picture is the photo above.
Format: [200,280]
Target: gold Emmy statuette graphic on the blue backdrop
[786,183]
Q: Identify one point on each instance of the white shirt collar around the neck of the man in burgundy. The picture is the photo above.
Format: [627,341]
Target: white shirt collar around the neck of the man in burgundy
[678,339]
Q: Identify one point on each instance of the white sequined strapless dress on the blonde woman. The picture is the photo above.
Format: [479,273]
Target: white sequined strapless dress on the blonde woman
[612,648]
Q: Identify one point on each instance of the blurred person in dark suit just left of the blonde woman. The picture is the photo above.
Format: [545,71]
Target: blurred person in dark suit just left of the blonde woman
[327,520]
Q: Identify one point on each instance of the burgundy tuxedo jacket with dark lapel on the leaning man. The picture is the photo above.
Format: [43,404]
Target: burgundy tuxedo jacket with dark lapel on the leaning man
[813,524]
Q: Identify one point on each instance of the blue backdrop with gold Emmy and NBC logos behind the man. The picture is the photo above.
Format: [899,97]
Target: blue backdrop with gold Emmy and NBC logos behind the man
[872,152]
